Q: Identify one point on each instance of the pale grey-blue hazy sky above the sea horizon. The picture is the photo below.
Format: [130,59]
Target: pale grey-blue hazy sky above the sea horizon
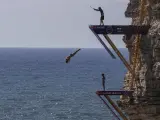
[57,23]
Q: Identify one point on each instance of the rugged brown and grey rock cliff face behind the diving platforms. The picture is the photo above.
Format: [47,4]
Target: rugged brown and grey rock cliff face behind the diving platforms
[146,105]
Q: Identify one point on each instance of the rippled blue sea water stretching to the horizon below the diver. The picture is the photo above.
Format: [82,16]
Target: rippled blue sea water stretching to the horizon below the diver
[37,84]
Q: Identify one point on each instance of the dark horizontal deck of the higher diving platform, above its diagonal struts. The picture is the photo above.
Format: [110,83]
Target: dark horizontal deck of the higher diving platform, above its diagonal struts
[120,29]
